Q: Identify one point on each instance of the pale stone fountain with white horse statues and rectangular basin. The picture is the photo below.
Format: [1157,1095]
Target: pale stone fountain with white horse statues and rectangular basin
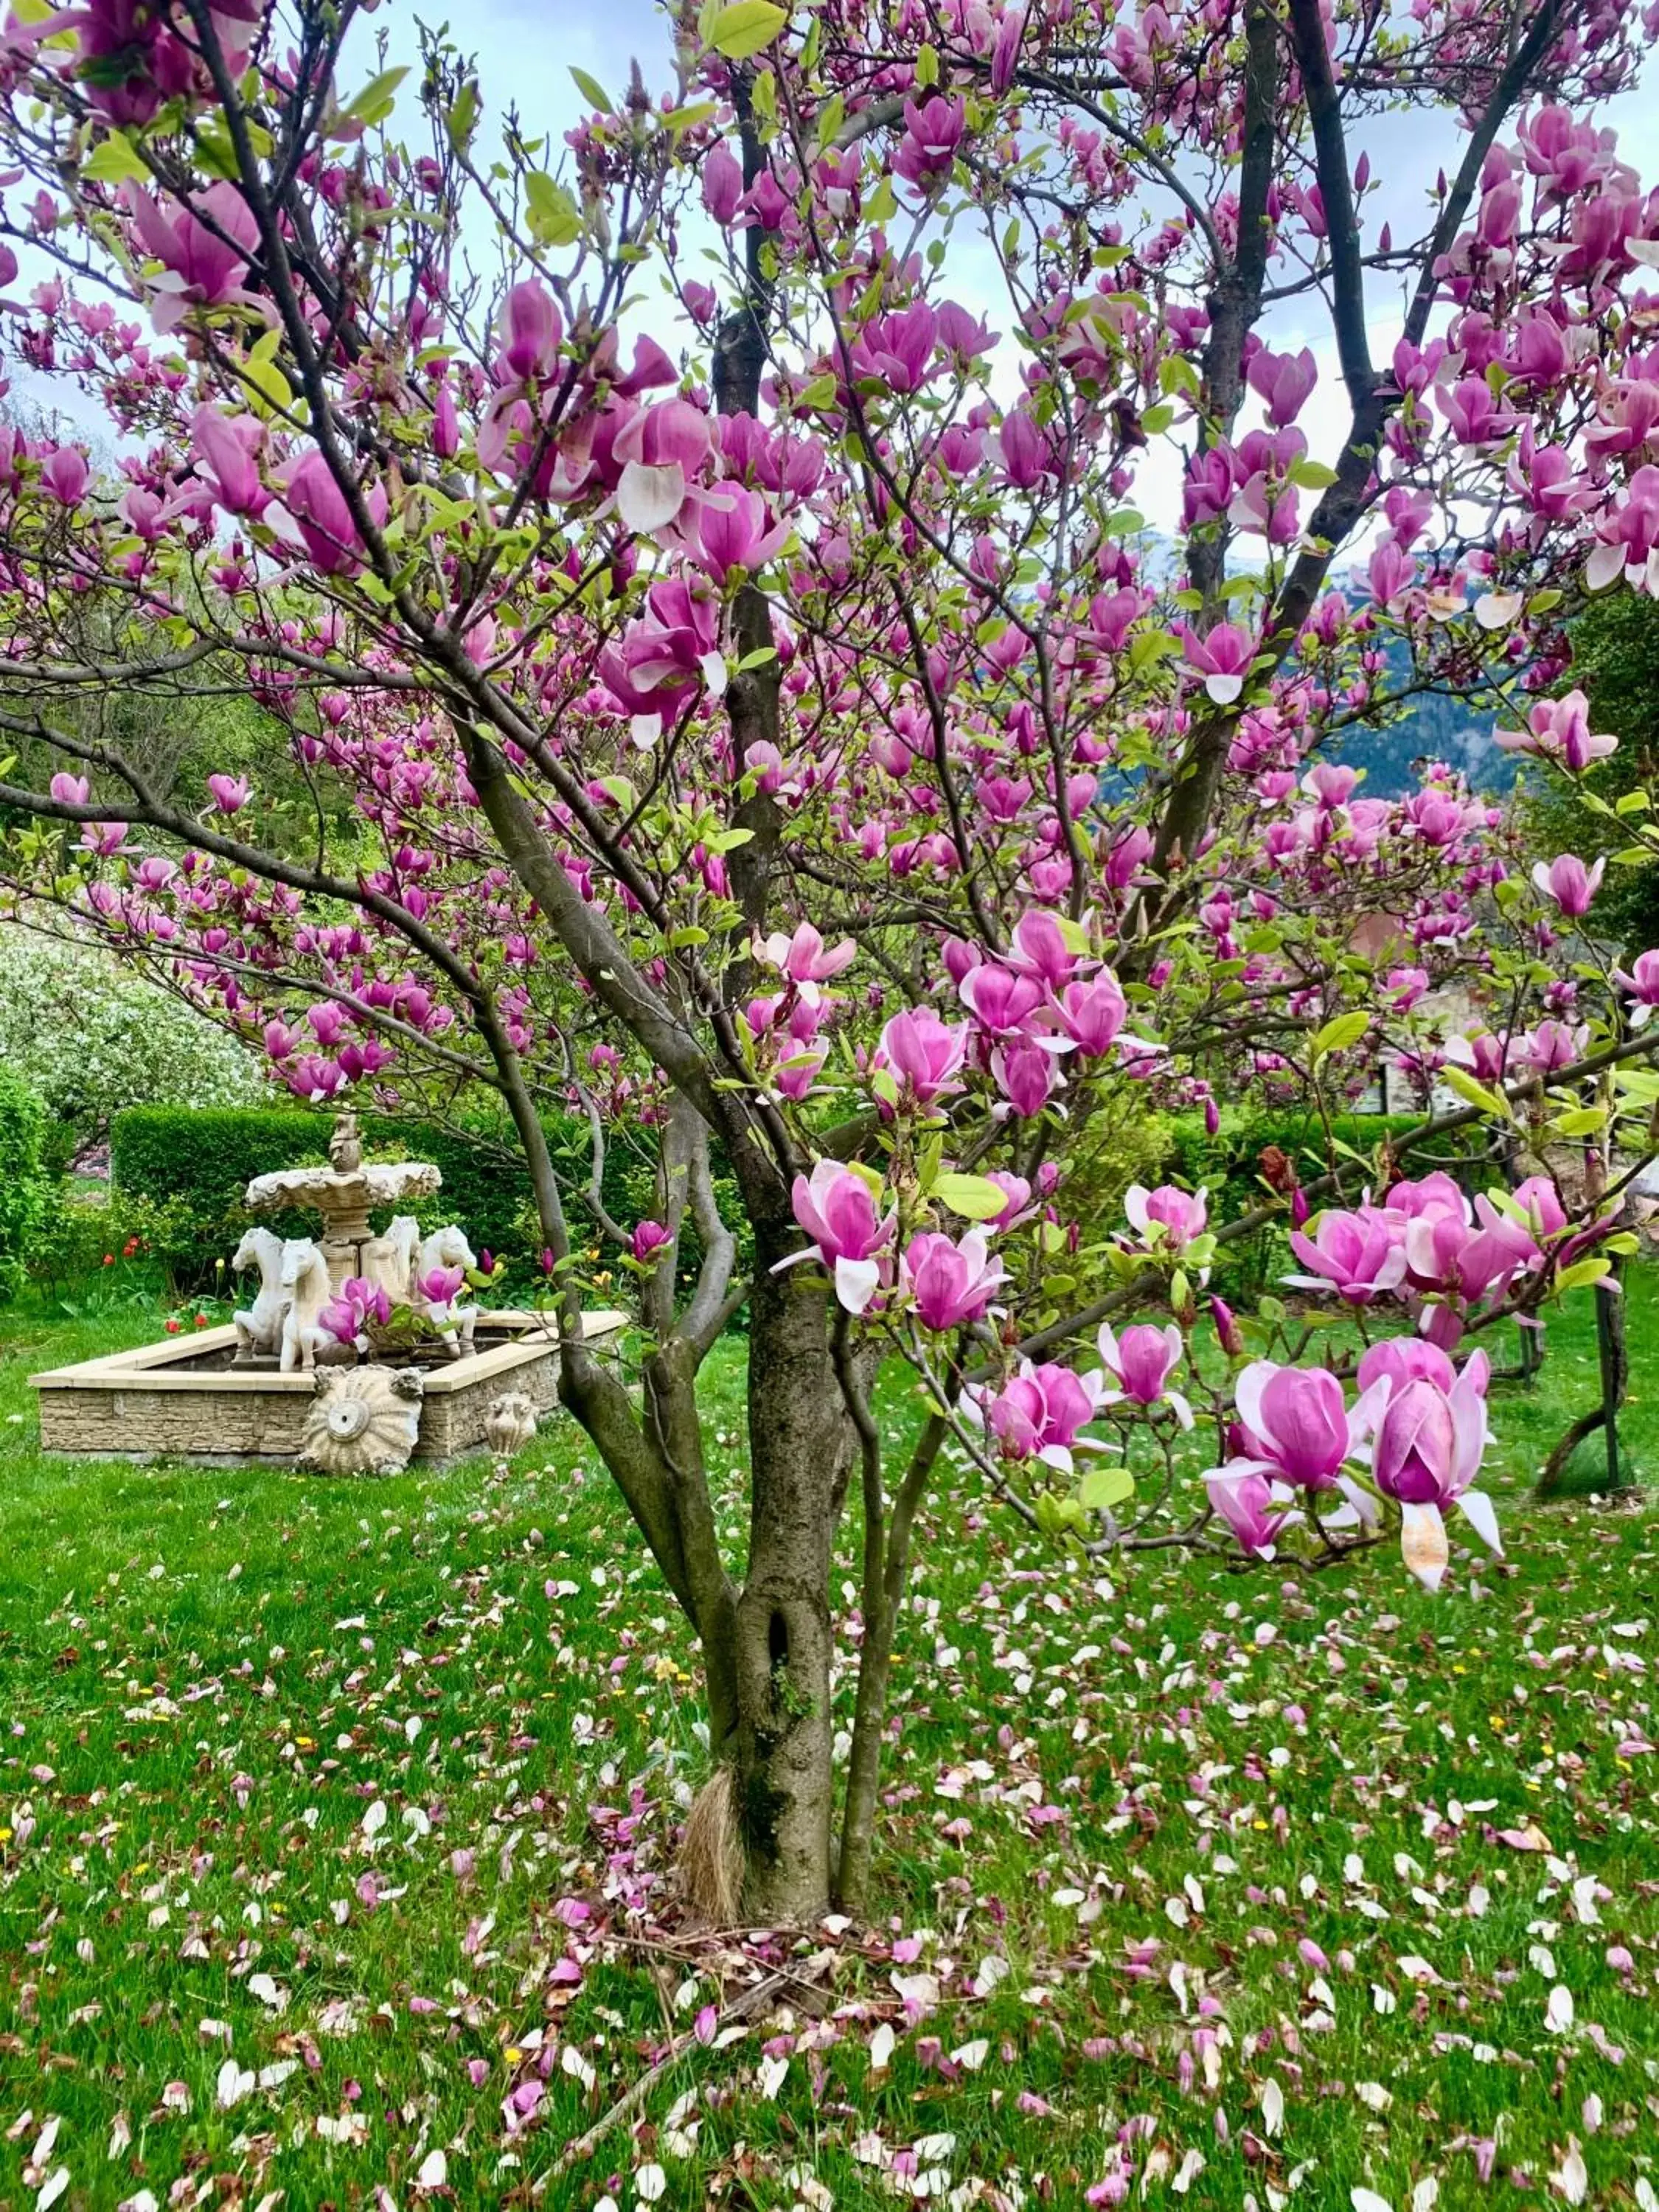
[271,1386]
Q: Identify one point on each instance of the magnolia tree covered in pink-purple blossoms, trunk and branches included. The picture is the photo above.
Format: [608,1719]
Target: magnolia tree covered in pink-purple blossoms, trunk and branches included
[738,696]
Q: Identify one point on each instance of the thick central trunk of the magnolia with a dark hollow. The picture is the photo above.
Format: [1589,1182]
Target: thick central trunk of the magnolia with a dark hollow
[782,1631]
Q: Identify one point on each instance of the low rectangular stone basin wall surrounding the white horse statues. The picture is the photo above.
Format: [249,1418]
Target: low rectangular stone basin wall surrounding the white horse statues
[185,1401]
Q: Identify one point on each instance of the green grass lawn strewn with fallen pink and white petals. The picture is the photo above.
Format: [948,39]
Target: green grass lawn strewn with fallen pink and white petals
[337,1819]
